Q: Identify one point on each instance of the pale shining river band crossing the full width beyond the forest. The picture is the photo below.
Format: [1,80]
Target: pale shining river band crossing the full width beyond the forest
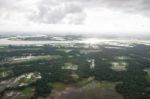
[126,43]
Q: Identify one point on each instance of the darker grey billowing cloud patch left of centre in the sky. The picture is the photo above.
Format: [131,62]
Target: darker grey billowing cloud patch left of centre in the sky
[55,11]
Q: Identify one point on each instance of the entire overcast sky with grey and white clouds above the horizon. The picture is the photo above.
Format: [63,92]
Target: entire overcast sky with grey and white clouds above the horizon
[75,15]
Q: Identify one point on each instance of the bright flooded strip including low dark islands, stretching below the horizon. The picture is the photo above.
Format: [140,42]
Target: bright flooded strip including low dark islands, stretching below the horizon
[64,40]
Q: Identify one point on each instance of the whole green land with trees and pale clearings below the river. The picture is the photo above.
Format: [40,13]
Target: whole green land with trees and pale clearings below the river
[118,73]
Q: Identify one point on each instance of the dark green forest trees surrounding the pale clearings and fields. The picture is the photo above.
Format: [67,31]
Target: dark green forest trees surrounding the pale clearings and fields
[133,84]
